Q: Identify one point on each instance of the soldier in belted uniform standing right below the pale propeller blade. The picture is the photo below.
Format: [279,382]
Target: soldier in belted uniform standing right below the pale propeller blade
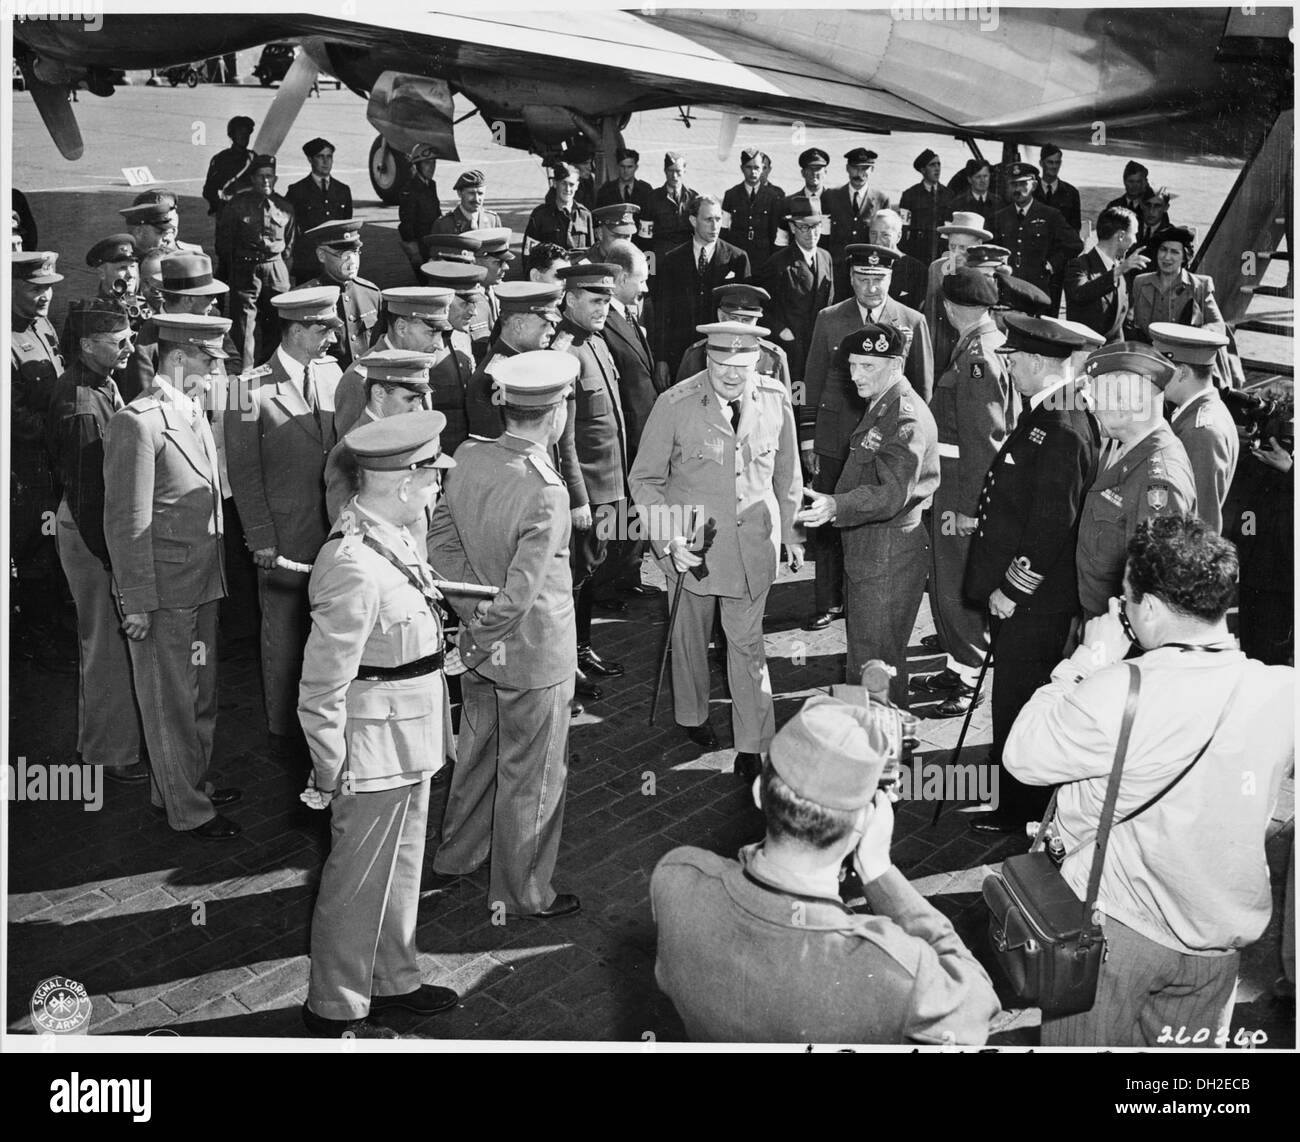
[255,244]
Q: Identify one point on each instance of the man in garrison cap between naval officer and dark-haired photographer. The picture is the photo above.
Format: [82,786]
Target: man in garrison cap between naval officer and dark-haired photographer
[1145,470]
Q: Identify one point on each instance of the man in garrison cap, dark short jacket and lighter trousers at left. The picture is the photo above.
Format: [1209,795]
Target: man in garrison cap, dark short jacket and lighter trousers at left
[84,401]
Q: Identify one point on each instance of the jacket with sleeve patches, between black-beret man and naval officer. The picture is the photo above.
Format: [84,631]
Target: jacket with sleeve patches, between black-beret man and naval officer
[974,409]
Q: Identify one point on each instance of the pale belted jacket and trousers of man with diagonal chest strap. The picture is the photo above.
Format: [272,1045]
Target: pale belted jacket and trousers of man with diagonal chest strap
[375,745]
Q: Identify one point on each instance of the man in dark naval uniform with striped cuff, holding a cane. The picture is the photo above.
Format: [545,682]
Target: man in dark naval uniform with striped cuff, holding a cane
[1021,566]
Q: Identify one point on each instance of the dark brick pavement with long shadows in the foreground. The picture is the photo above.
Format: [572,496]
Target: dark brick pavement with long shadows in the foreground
[167,932]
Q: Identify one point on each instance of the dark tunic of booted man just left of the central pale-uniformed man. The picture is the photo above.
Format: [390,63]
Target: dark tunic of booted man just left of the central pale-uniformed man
[595,447]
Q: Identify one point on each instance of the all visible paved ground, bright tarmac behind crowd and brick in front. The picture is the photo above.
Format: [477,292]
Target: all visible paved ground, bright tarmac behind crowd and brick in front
[170,933]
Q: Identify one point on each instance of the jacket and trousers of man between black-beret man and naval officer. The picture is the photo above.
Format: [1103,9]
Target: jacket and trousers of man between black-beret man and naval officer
[974,410]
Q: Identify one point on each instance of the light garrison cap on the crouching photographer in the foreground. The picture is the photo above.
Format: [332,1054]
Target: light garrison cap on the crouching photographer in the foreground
[831,754]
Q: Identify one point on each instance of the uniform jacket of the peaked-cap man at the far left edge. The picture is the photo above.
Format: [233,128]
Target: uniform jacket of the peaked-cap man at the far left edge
[36,367]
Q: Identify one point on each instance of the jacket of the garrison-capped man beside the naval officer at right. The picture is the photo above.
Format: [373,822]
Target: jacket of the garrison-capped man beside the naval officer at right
[1152,479]
